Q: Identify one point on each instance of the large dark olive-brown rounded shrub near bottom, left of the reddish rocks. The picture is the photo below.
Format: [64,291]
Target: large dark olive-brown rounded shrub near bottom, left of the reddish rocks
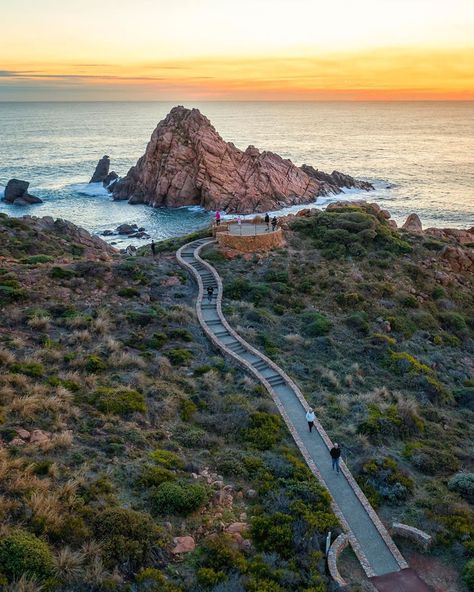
[128,538]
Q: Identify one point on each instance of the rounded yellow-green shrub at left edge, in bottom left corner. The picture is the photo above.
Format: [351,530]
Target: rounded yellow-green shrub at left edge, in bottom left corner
[23,553]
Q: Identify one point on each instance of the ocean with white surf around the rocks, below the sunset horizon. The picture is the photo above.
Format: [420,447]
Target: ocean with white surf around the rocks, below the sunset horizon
[418,155]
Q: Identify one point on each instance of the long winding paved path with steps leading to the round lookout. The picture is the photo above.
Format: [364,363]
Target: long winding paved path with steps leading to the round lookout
[368,537]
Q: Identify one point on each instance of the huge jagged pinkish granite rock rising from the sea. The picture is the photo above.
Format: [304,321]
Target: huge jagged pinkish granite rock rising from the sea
[187,163]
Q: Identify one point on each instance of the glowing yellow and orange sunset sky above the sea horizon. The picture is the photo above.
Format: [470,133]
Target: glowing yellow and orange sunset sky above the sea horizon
[236,50]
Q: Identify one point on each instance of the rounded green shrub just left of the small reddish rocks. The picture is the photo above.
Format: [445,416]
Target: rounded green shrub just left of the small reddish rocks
[178,498]
